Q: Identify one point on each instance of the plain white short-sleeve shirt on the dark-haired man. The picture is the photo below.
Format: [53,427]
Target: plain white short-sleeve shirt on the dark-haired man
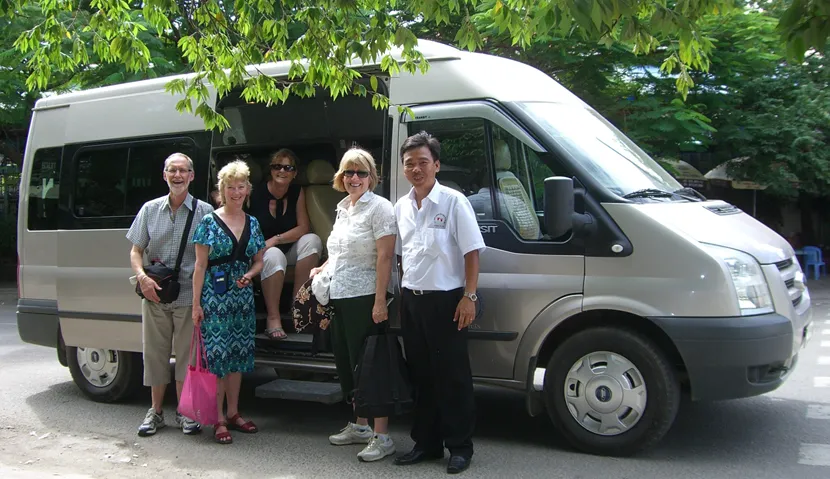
[432,241]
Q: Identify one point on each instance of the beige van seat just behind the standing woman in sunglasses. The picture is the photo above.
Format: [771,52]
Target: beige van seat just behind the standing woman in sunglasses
[321,199]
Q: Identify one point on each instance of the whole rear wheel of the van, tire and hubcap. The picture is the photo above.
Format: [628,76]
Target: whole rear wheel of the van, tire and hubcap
[105,375]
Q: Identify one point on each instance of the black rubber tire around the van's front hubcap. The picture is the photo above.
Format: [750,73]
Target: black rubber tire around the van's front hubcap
[662,391]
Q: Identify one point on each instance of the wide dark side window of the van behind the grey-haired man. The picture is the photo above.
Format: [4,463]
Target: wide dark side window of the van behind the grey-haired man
[117,180]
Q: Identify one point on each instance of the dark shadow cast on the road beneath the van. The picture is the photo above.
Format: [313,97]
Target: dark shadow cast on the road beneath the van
[730,430]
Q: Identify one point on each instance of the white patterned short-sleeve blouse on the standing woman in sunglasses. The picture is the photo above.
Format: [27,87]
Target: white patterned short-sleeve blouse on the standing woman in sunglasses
[352,246]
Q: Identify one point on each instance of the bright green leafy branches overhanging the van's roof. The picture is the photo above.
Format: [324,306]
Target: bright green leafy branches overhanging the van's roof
[218,38]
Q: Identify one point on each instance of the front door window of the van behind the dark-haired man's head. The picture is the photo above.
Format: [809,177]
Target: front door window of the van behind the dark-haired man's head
[464,164]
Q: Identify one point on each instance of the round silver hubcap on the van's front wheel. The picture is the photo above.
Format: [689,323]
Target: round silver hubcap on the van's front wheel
[605,393]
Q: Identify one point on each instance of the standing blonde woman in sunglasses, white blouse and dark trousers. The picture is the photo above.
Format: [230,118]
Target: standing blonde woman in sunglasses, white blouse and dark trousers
[360,247]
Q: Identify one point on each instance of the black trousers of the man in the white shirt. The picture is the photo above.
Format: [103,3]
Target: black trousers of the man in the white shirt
[436,352]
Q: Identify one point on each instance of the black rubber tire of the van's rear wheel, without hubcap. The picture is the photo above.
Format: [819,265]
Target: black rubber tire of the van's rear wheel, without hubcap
[126,381]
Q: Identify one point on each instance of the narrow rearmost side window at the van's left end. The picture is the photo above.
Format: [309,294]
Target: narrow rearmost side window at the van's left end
[44,189]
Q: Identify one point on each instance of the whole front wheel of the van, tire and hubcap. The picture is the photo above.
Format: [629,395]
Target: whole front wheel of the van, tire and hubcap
[611,391]
